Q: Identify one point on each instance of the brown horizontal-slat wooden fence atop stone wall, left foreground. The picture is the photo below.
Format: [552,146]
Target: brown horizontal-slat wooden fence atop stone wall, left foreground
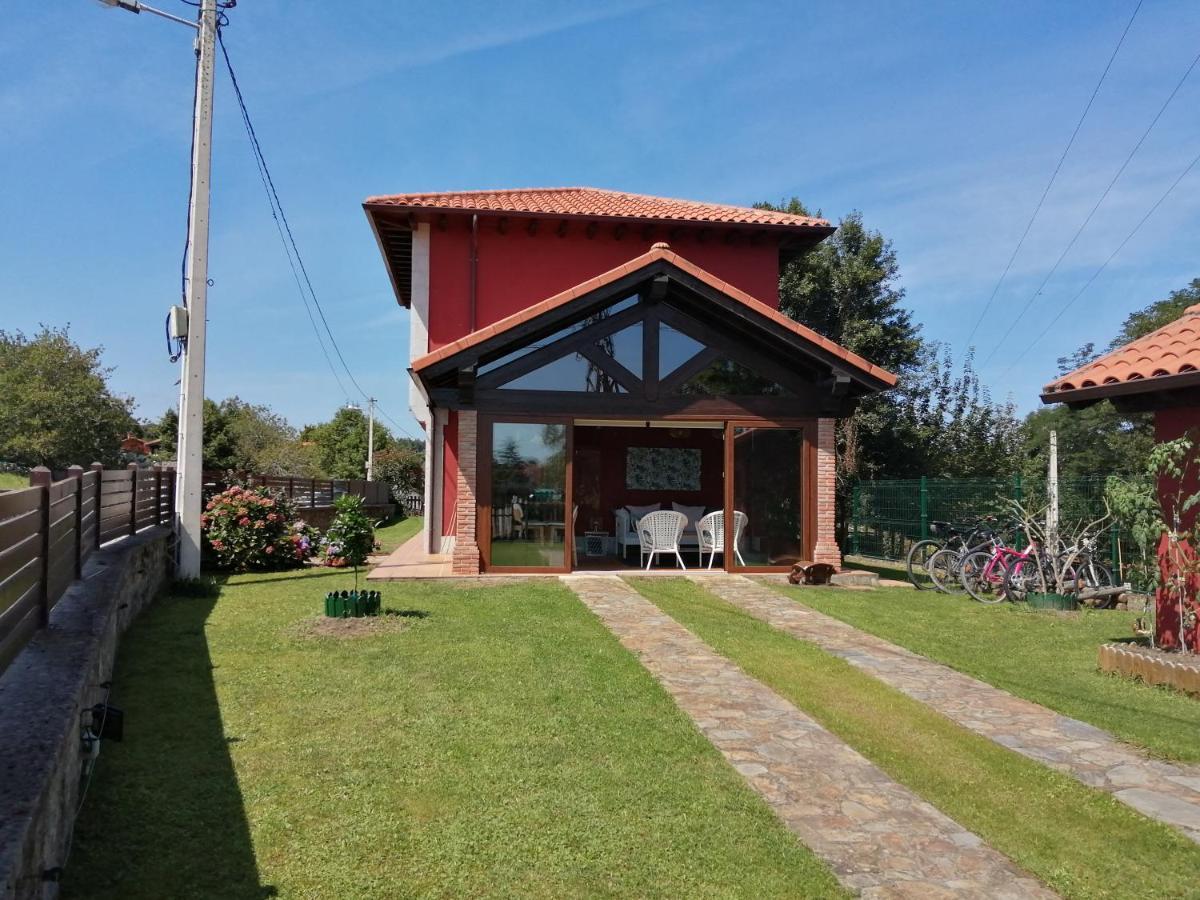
[49,531]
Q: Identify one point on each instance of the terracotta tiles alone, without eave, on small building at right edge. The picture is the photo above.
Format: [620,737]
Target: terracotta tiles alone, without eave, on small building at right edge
[1171,351]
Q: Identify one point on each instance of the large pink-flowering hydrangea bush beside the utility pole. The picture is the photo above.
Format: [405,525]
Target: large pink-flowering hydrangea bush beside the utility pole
[251,529]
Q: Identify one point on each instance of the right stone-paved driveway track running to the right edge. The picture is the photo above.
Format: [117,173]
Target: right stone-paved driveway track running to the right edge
[1160,790]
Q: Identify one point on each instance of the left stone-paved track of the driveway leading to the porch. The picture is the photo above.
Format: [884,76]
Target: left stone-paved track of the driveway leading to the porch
[878,837]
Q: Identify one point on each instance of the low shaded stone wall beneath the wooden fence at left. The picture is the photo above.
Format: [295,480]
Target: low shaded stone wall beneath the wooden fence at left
[44,695]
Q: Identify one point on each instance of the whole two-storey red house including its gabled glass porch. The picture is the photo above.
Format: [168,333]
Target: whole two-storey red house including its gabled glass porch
[581,358]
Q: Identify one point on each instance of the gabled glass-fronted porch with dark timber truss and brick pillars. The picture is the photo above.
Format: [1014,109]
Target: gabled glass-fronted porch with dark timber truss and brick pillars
[655,388]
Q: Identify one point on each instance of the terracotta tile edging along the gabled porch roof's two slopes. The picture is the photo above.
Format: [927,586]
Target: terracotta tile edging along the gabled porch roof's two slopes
[659,251]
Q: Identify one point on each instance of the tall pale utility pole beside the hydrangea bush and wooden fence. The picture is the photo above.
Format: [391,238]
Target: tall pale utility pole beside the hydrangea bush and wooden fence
[190,464]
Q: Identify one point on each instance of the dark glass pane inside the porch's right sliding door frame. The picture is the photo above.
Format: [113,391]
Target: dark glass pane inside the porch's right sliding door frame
[769,489]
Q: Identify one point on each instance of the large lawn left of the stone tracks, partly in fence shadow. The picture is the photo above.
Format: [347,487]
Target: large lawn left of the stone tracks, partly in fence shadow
[505,745]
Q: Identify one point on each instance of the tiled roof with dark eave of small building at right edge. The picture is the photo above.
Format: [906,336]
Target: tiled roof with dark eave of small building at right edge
[1153,363]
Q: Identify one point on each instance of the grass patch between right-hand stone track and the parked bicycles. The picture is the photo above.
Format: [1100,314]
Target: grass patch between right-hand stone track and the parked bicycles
[1048,658]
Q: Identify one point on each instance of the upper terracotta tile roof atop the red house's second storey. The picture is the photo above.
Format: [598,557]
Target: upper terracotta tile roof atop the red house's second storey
[595,202]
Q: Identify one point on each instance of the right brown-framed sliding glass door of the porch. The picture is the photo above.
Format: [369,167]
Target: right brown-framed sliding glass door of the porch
[769,489]
